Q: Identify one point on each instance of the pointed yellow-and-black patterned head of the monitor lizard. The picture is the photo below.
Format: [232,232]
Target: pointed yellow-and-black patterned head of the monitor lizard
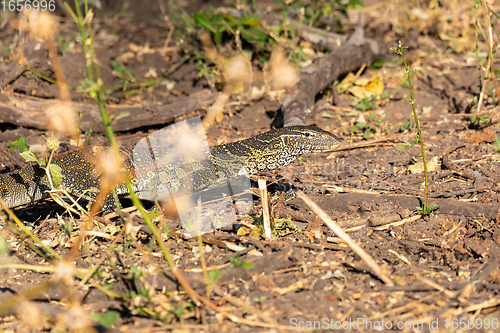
[309,139]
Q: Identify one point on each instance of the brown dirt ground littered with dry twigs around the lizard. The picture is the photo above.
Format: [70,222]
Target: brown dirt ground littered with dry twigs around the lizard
[444,268]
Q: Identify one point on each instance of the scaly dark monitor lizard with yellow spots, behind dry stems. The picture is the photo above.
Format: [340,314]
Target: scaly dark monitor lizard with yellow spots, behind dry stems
[267,151]
